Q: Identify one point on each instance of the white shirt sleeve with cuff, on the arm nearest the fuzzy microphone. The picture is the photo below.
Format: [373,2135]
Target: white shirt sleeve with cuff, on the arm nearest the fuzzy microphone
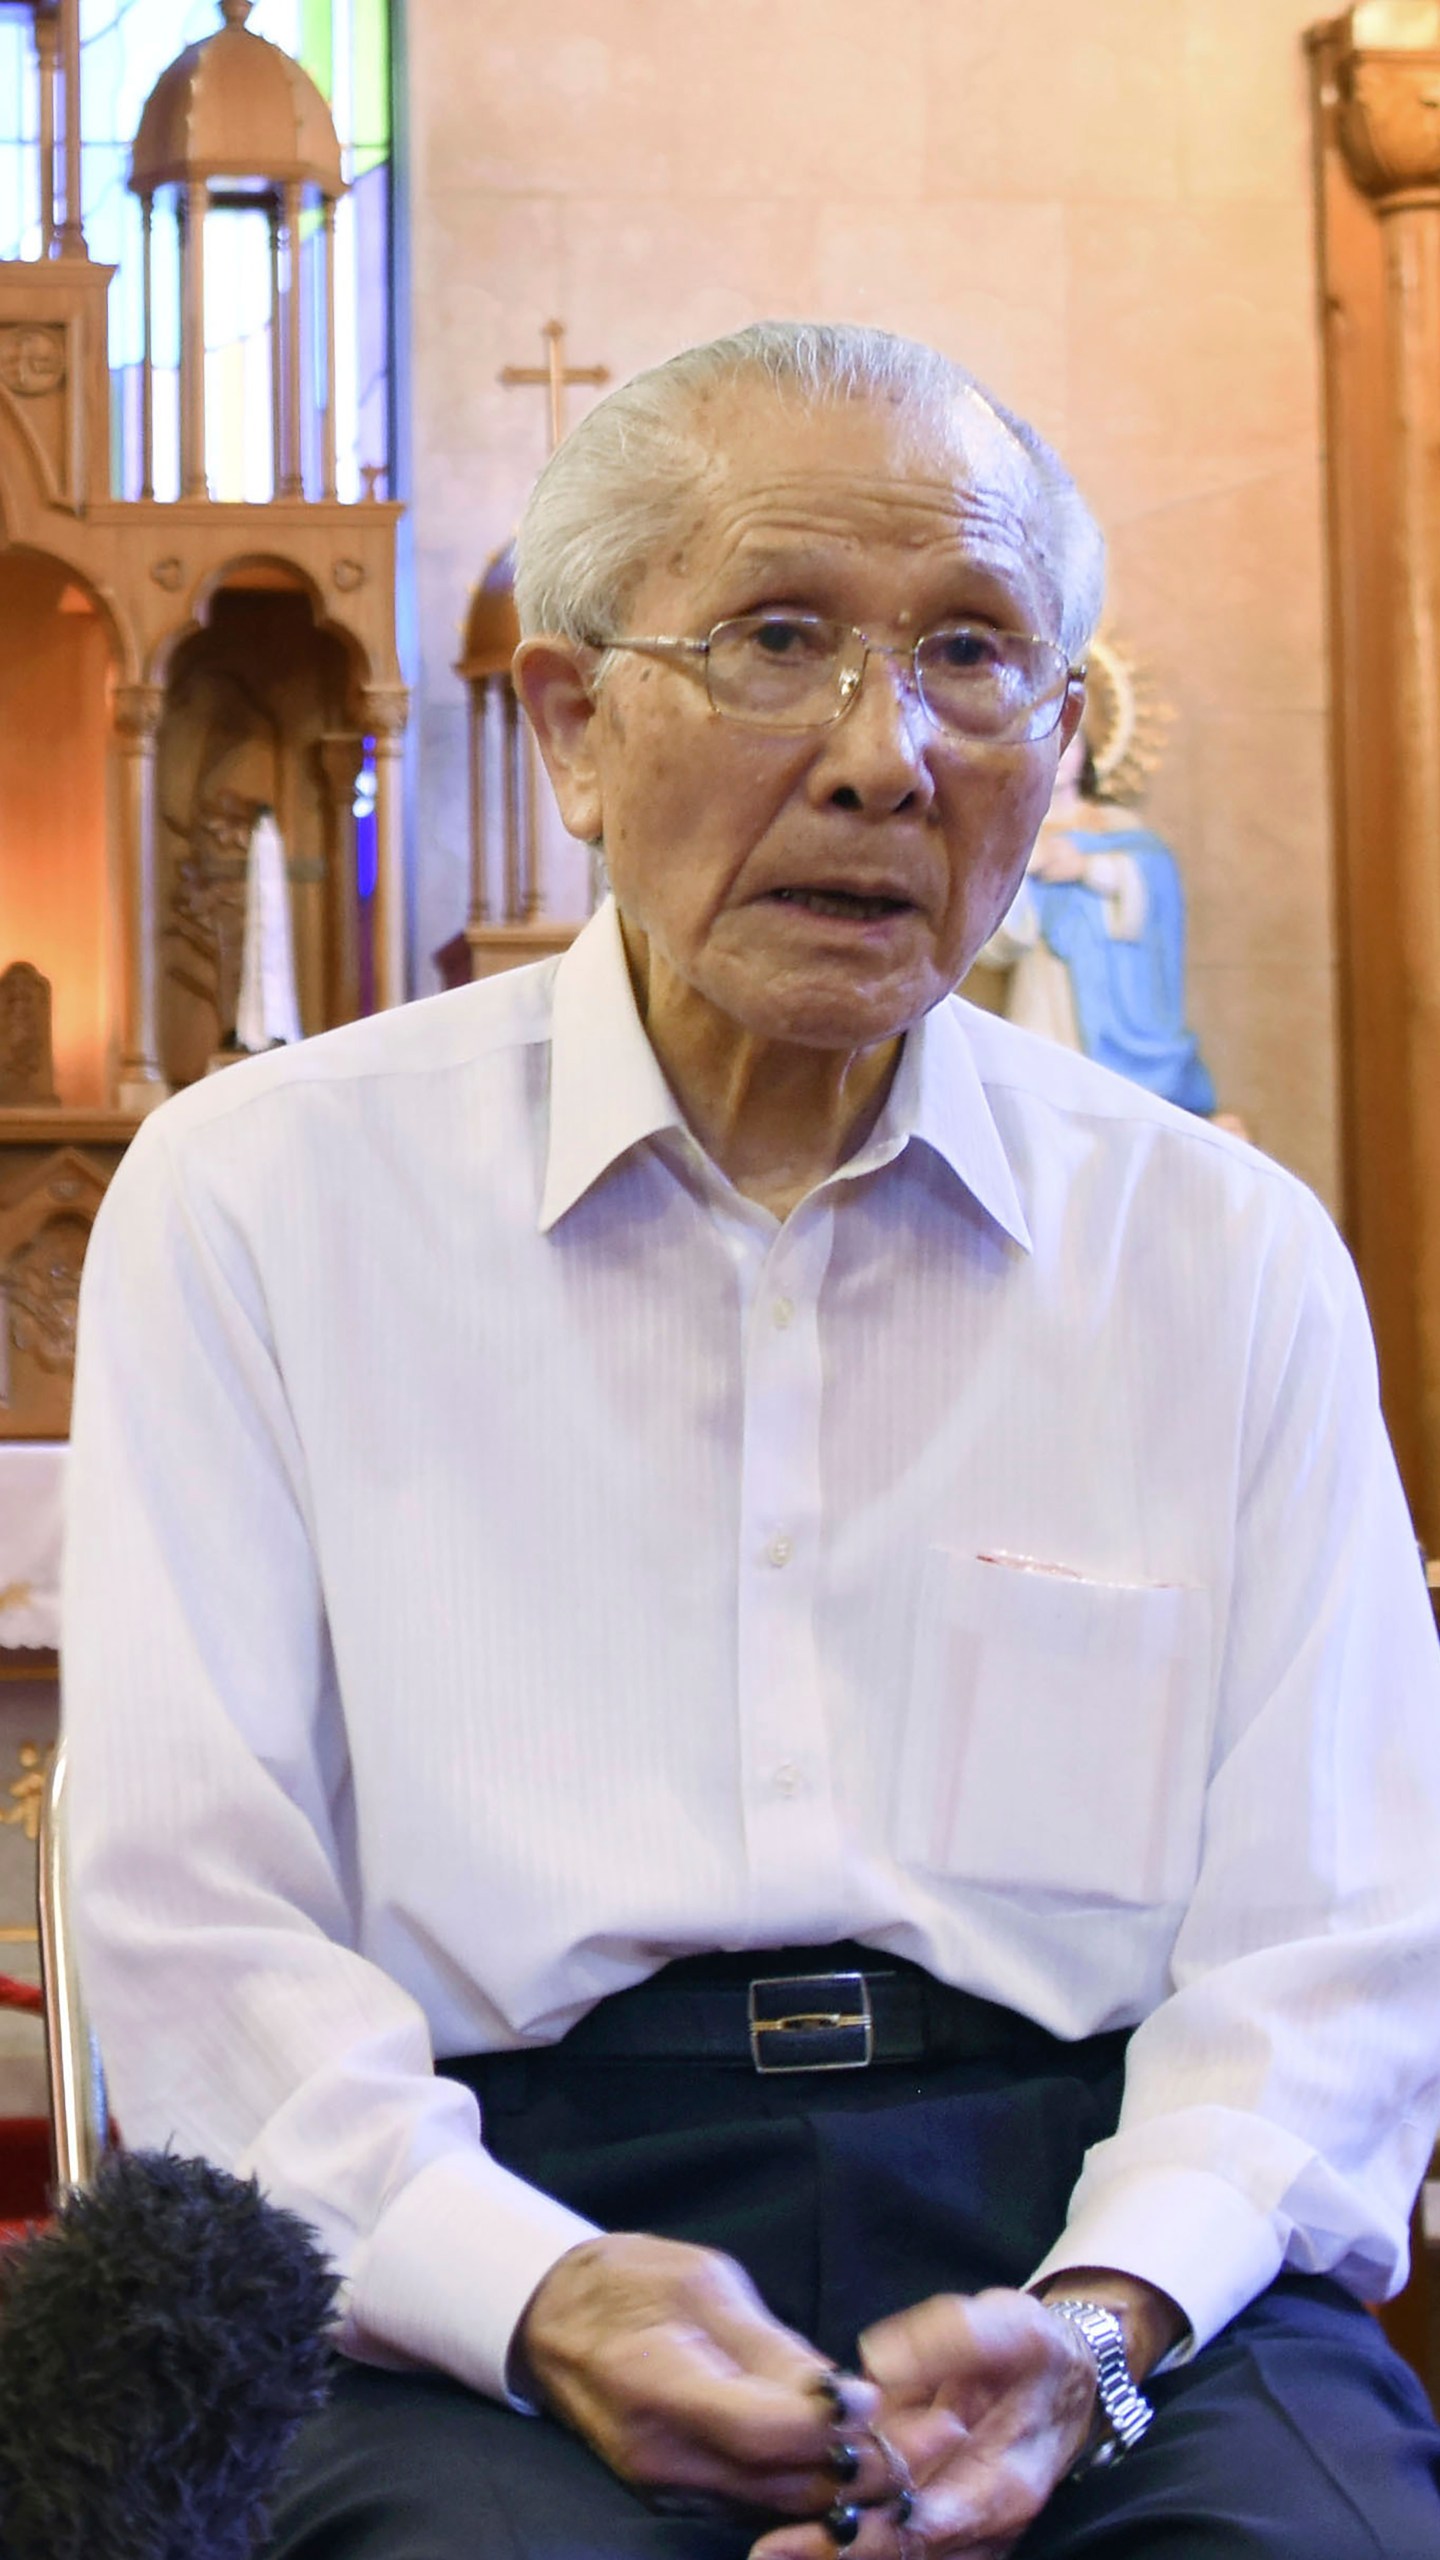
[214,1819]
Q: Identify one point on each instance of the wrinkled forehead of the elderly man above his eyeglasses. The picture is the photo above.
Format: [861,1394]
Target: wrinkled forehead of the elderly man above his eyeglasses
[865,472]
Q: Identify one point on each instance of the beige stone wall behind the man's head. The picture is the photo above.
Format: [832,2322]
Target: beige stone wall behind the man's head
[1103,209]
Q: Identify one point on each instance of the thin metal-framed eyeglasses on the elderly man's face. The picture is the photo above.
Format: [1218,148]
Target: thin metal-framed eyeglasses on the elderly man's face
[801,672]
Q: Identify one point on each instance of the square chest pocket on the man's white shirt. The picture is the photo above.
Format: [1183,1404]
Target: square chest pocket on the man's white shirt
[1057,1734]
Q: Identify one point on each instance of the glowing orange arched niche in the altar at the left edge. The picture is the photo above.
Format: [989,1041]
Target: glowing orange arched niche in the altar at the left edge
[55,751]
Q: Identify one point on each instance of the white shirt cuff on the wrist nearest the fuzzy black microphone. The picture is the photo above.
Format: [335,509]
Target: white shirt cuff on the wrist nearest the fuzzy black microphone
[452,2264]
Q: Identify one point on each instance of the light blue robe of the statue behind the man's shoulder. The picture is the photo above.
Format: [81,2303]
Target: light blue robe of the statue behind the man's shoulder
[1129,995]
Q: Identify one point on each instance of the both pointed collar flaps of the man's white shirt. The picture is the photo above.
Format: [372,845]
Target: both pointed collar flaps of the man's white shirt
[609,1092]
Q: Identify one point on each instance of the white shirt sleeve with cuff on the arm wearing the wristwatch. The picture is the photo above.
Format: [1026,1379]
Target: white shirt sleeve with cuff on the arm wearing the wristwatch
[1282,2098]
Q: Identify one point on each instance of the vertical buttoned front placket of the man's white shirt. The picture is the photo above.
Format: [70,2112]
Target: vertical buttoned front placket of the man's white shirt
[785,1750]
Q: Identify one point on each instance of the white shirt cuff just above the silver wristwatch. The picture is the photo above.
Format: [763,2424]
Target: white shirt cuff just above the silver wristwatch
[1185,2231]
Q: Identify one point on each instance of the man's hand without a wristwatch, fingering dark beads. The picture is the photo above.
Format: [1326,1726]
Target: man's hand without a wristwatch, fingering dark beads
[665,2359]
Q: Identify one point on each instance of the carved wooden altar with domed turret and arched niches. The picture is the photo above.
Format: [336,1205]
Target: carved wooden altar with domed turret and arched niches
[173,664]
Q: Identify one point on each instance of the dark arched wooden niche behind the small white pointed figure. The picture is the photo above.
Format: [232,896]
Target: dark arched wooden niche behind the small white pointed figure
[258,716]
